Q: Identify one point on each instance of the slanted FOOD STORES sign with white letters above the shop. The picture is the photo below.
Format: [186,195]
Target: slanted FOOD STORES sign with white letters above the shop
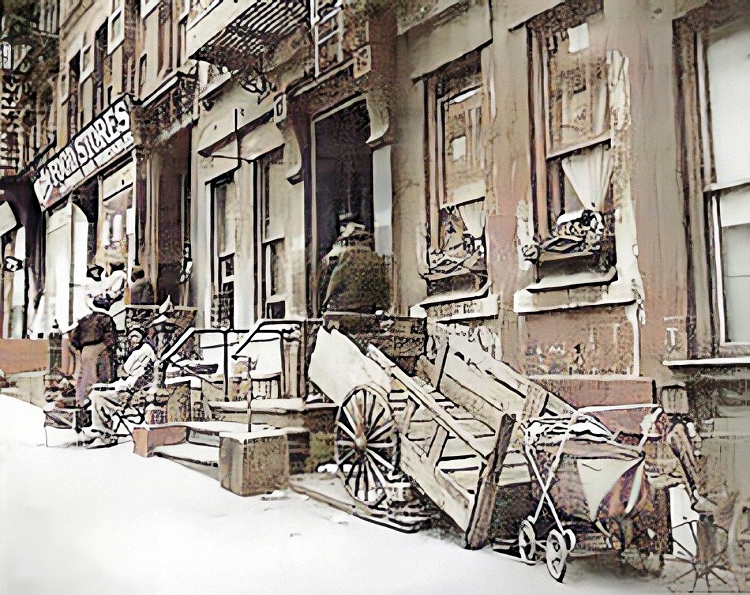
[106,137]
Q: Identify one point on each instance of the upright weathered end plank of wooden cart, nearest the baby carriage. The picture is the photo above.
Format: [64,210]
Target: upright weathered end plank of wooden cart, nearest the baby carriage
[484,503]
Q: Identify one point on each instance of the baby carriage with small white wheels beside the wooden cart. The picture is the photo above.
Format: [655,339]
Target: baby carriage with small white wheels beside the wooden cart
[584,479]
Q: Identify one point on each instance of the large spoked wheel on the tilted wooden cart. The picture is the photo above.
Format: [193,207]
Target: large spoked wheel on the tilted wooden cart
[366,447]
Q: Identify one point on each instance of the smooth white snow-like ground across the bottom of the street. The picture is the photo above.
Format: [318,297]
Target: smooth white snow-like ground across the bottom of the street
[106,522]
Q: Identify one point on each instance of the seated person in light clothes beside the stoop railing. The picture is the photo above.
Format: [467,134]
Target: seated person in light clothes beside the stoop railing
[107,399]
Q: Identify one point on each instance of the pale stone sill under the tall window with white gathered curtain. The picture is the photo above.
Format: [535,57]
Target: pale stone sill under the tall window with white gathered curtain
[564,296]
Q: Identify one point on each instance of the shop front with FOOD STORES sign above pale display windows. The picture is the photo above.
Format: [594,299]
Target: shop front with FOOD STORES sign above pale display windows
[87,193]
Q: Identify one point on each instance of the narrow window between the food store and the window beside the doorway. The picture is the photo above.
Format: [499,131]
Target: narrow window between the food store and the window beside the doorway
[224,225]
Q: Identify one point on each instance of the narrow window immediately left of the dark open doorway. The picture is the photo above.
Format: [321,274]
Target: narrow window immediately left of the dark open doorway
[270,219]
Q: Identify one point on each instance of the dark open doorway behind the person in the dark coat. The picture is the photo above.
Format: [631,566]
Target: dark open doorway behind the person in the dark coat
[343,182]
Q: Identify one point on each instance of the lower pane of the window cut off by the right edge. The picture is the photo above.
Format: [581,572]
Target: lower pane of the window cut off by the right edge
[734,208]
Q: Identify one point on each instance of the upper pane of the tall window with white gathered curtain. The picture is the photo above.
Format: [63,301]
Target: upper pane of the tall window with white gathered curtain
[577,93]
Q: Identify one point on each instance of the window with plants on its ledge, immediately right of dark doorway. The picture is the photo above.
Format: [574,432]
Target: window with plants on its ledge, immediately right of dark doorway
[457,177]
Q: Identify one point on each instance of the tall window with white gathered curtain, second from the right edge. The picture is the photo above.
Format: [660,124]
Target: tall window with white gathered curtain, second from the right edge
[572,135]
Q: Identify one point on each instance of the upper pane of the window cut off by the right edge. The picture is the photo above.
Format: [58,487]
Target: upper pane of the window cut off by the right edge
[728,62]
